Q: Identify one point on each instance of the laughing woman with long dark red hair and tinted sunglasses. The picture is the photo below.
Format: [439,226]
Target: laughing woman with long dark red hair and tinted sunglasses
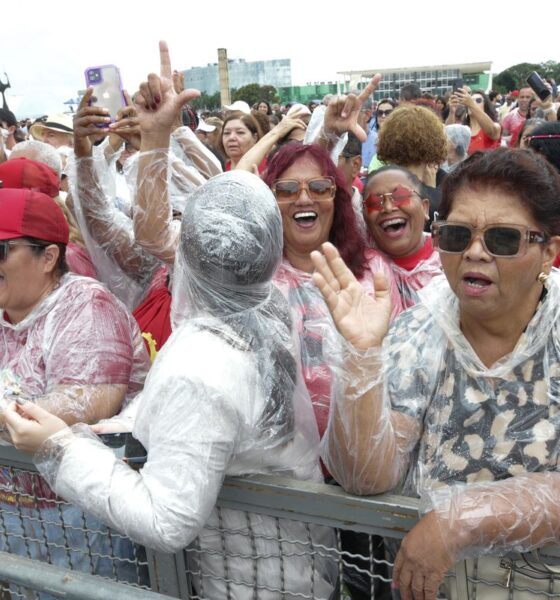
[316,207]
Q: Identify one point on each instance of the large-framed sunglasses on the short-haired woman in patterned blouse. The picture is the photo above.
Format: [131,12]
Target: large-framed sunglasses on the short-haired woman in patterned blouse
[503,241]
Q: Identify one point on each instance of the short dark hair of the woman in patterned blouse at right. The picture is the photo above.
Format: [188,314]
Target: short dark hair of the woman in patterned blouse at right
[523,174]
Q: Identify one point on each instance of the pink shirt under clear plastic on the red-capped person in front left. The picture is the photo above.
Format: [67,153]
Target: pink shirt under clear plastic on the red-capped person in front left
[80,334]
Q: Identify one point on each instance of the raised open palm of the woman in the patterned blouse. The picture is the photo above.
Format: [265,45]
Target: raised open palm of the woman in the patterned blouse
[361,319]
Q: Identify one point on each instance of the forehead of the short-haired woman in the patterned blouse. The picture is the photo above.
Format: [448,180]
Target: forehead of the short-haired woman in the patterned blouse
[481,206]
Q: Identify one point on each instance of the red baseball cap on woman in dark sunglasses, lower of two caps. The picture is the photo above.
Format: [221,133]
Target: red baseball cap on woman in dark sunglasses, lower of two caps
[26,213]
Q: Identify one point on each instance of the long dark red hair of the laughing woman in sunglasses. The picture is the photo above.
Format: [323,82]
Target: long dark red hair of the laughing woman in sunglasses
[344,233]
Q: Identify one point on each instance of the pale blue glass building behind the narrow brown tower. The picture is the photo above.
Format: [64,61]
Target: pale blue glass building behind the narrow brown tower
[264,72]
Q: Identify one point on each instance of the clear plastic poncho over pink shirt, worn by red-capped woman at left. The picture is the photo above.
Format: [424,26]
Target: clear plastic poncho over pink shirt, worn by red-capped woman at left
[78,353]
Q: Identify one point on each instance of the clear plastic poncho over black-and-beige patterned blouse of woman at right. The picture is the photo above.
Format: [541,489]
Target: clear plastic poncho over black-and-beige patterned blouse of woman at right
[482,443]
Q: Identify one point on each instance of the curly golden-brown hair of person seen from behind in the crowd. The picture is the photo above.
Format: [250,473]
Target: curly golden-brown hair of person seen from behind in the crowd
[412,135]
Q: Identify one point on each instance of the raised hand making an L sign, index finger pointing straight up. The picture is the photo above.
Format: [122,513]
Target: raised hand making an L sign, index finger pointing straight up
[157,103]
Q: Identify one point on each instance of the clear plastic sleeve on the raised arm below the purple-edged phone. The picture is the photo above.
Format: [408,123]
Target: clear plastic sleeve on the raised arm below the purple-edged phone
[122,264]
